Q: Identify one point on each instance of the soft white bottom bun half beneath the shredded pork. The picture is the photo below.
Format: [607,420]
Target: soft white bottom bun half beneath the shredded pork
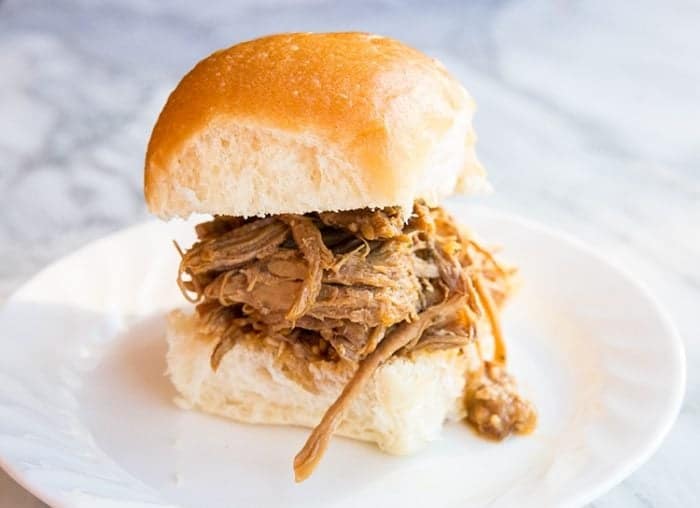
[402,408]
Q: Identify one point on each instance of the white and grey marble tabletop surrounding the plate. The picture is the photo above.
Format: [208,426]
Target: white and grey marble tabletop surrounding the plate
[588,122]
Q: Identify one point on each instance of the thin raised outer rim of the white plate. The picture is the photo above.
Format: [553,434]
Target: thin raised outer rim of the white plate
[628,467]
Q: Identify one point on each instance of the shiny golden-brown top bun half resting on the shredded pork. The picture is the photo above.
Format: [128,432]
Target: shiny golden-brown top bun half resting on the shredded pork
[296,123]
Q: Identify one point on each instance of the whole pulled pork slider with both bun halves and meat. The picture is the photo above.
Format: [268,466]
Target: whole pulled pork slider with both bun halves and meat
[331,289]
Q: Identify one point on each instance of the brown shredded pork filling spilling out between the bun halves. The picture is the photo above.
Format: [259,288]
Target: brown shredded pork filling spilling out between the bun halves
[355,287]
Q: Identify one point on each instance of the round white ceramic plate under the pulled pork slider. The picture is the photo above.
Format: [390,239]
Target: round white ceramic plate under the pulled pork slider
[87,419]
